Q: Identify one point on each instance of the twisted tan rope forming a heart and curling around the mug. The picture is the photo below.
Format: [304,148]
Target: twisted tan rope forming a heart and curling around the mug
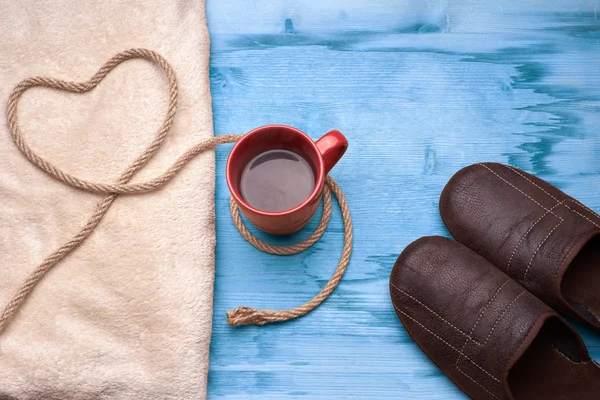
[238,316]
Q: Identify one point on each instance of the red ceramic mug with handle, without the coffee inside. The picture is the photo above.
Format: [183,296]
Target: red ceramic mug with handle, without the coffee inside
[322,155]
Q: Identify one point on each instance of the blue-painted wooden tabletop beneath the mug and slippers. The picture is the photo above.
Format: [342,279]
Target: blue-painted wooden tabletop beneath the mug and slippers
[421,89]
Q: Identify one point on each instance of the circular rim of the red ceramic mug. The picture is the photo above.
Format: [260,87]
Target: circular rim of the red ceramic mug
[318,184]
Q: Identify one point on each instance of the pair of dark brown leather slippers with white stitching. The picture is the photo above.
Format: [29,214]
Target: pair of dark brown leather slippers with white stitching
[482,307]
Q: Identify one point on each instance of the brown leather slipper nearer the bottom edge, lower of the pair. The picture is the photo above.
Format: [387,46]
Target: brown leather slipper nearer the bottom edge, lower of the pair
[493,338]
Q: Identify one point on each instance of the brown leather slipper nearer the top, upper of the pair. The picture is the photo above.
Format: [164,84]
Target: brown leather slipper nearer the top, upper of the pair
[542,238]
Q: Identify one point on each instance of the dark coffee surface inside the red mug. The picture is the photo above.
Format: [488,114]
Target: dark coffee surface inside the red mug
[277,180]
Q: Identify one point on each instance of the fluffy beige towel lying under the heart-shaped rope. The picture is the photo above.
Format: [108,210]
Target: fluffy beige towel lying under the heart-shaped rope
[127,315]
